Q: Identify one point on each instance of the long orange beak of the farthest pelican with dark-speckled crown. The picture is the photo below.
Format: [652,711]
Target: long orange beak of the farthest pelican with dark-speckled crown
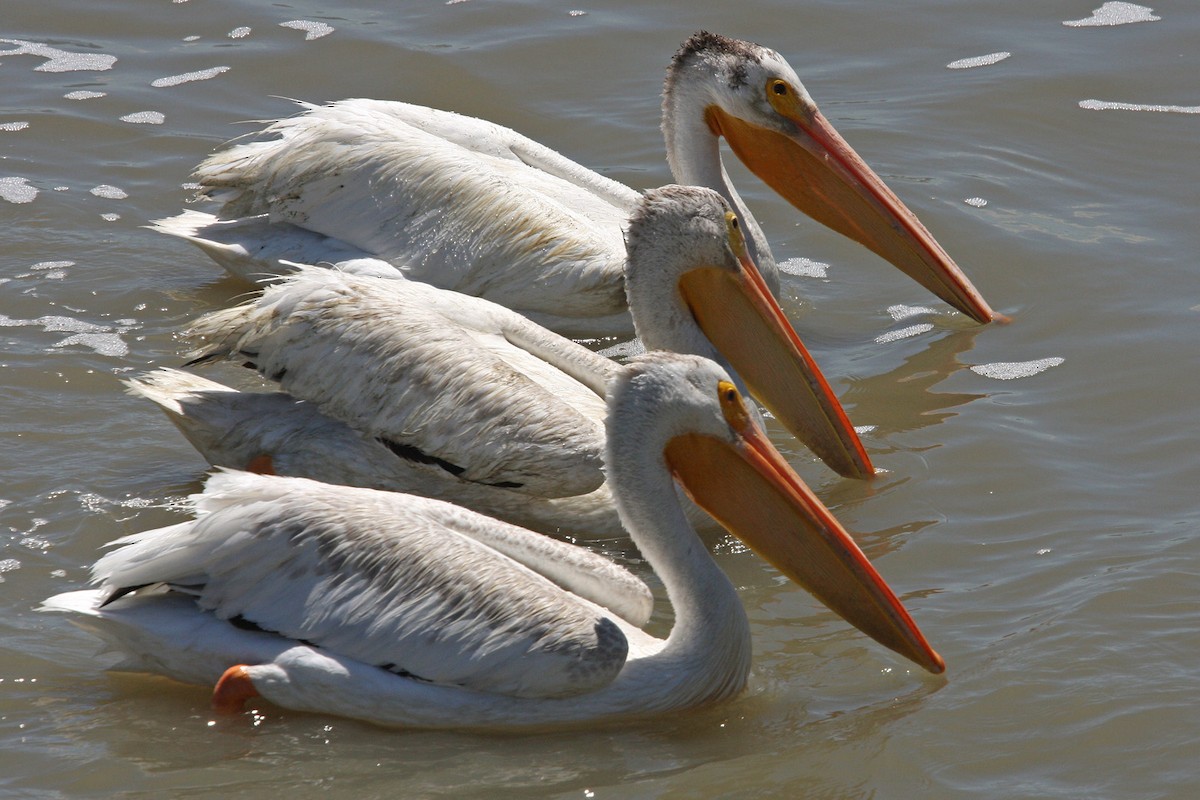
[819,173]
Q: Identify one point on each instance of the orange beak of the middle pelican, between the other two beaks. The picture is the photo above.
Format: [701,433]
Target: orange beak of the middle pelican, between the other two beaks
[741,317]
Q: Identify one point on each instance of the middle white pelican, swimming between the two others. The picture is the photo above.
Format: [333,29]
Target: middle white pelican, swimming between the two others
[460,399]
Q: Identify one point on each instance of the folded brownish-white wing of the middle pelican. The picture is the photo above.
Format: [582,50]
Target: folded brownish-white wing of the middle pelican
[434,375]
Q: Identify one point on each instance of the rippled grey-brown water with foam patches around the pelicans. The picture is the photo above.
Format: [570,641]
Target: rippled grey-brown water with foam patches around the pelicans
[1040,520]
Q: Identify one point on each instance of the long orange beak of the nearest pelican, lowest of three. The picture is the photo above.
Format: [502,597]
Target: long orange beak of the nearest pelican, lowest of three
[749,489]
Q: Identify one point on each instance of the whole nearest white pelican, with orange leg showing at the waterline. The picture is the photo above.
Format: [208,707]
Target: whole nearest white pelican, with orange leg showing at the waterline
[410,612]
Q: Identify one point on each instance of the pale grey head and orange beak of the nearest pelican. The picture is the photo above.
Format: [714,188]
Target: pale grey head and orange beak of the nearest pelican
[729,467]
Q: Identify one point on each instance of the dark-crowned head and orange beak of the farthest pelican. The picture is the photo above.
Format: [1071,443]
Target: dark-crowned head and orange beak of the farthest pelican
[753,99]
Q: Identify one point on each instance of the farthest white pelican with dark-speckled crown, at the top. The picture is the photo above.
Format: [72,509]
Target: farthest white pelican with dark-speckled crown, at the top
[469,206]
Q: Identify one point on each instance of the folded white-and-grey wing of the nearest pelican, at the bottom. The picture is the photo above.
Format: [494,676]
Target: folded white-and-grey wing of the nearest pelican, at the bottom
[404,584]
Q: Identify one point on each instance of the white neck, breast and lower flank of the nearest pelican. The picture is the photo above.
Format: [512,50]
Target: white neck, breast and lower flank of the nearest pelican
[706,658]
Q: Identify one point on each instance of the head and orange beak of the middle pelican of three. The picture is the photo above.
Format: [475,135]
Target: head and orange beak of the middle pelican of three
[693,288]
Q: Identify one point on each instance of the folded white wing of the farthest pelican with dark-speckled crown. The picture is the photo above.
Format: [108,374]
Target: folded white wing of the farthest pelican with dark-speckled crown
[452,201]
